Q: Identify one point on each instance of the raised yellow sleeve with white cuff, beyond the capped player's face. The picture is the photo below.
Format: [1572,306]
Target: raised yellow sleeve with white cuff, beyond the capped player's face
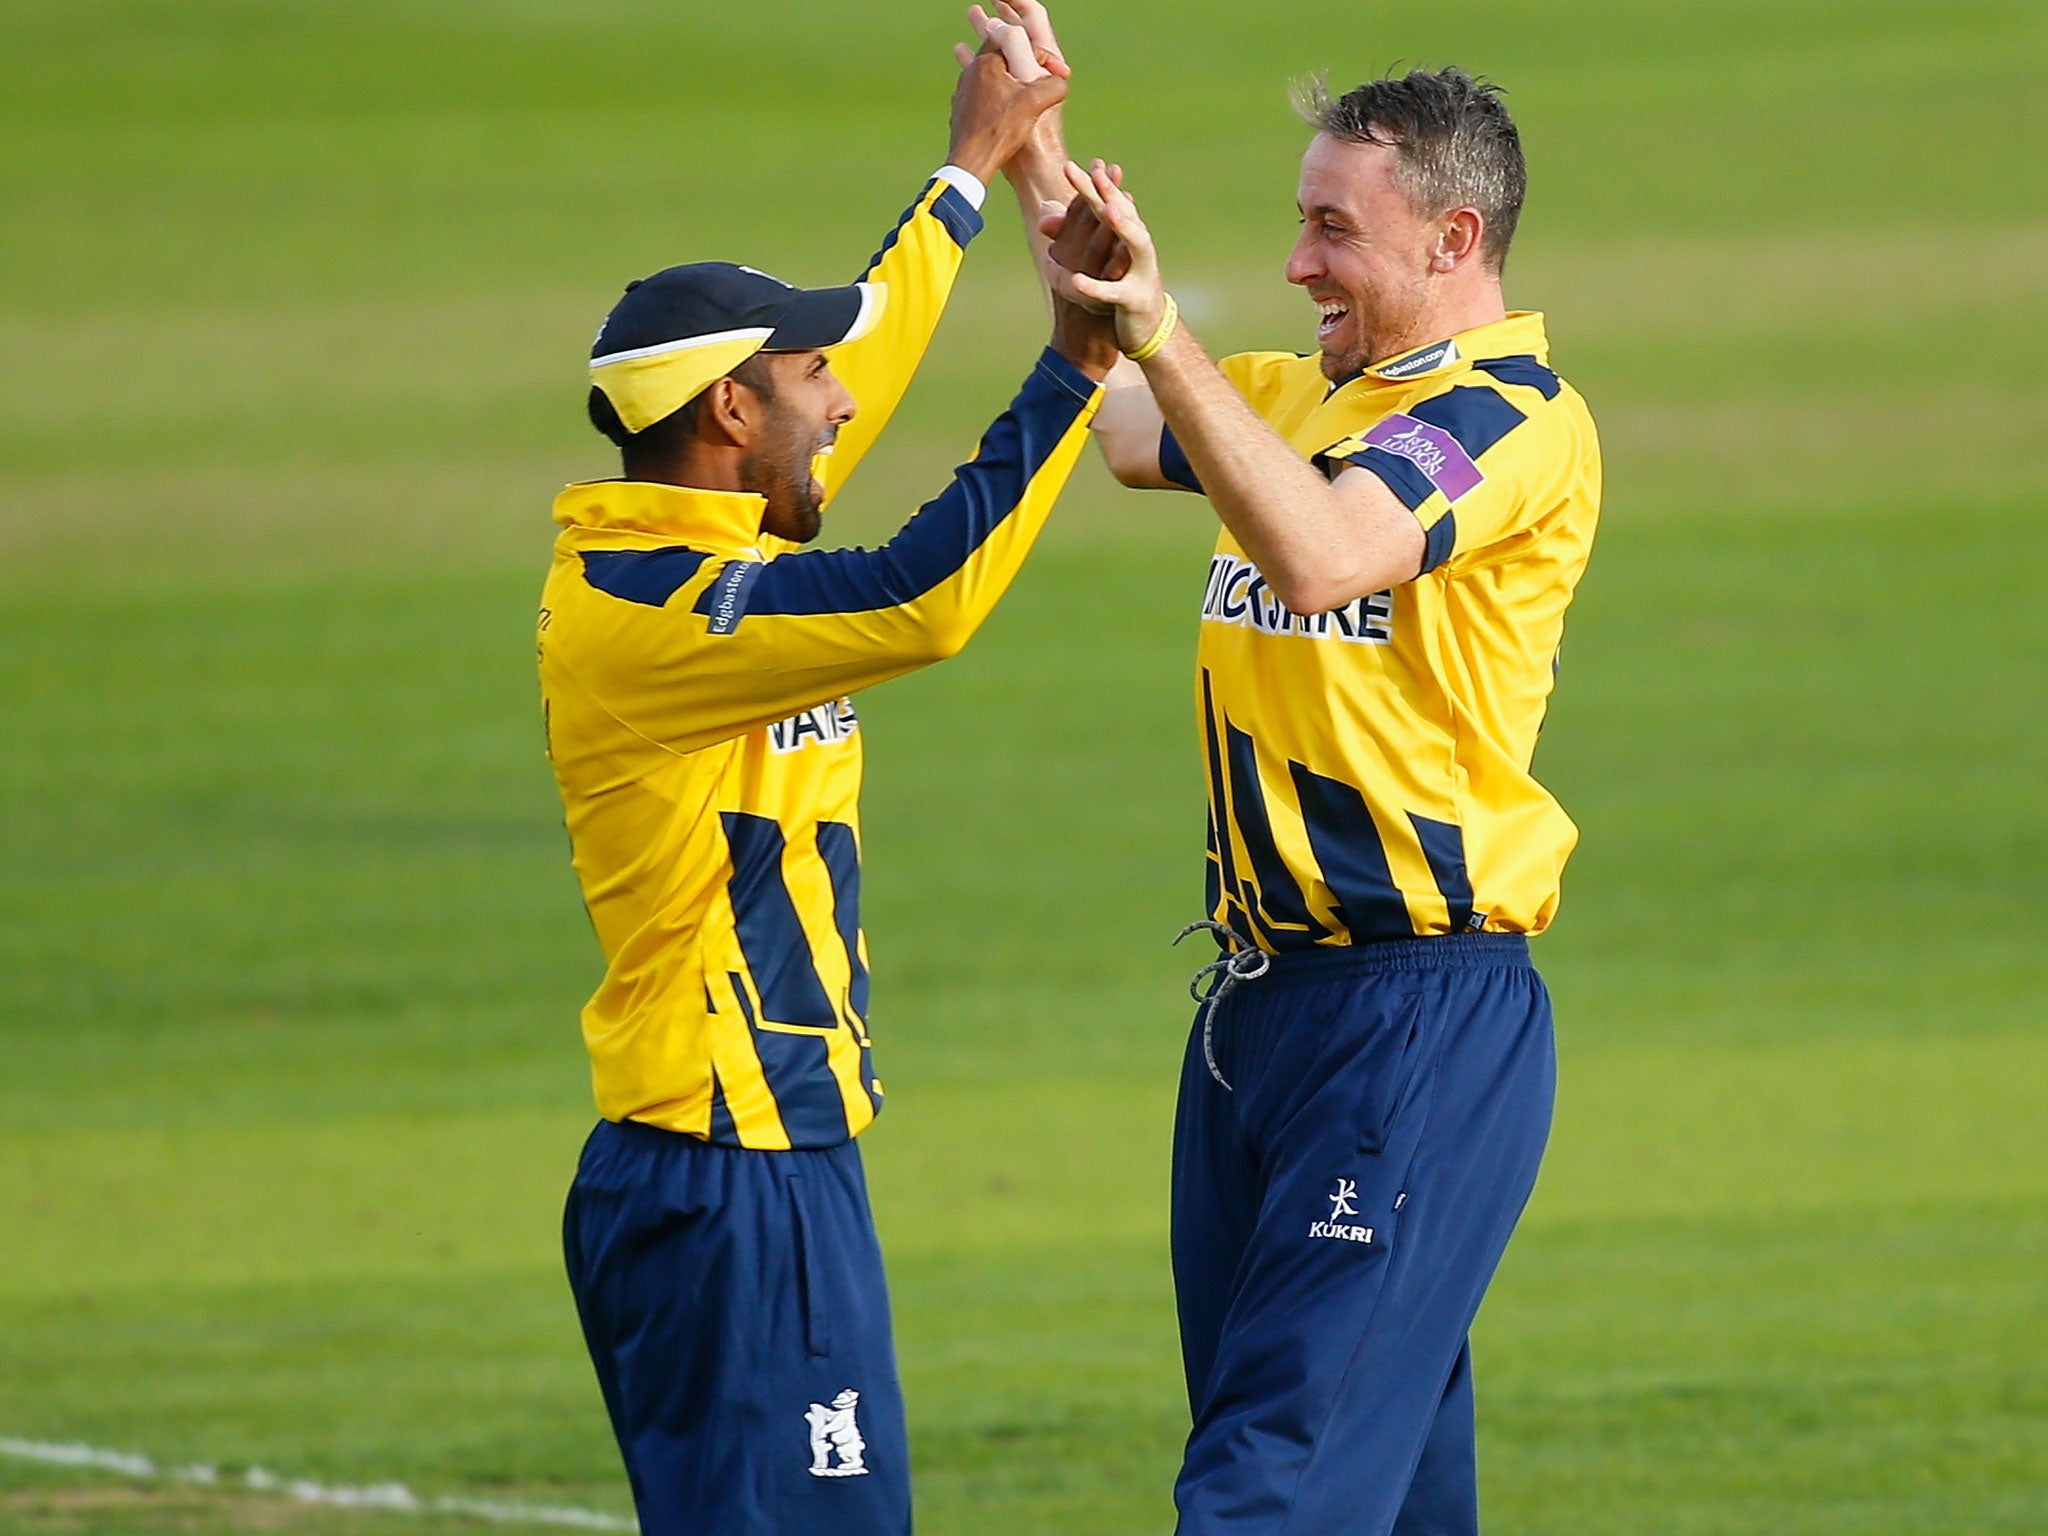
[919,263]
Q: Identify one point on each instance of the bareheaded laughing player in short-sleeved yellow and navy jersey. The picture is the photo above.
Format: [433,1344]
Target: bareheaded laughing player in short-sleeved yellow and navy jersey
[1406,515]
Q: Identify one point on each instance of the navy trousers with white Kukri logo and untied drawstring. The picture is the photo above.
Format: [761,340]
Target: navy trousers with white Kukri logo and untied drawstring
[1338,1215]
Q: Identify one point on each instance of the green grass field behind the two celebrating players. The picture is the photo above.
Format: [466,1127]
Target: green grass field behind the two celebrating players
[294,304]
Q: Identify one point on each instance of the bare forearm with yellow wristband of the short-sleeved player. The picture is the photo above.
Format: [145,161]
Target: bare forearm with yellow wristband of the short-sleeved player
[1281,511]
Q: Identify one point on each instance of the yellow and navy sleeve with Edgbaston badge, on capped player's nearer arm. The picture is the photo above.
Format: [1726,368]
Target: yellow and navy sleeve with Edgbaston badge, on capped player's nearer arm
[689,648]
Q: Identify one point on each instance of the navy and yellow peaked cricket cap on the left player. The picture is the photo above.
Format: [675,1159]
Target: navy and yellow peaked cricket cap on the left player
[685,329]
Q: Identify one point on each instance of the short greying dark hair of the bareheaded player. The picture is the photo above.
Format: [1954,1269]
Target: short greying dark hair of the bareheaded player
[1451,134]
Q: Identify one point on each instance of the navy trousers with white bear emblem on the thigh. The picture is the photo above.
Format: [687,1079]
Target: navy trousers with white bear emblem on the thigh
[738,1320]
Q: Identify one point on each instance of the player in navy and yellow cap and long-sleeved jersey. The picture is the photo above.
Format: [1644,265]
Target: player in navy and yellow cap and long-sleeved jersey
[697,671]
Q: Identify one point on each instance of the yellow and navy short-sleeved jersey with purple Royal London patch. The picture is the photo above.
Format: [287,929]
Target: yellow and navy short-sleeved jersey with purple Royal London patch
[1369,769]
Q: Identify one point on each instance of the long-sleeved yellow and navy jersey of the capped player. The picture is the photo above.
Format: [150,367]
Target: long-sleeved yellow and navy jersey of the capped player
[697,675]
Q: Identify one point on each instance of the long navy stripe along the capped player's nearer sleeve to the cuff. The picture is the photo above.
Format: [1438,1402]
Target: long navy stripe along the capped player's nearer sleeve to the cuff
[945,534]
